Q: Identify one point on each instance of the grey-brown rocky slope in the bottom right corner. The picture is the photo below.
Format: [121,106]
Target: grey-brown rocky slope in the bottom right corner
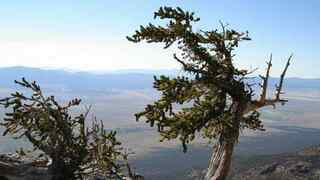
[298,166]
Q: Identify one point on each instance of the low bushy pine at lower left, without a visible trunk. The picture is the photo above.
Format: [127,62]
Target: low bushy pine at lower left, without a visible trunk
[75,149]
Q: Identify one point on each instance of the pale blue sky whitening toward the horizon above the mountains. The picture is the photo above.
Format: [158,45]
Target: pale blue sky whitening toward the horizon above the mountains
[89,35]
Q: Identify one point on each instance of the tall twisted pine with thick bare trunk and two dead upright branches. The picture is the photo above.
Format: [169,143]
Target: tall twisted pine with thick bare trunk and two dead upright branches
[222,101]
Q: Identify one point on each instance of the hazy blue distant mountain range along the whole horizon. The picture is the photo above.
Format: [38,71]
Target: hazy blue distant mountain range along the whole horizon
[123,79]
